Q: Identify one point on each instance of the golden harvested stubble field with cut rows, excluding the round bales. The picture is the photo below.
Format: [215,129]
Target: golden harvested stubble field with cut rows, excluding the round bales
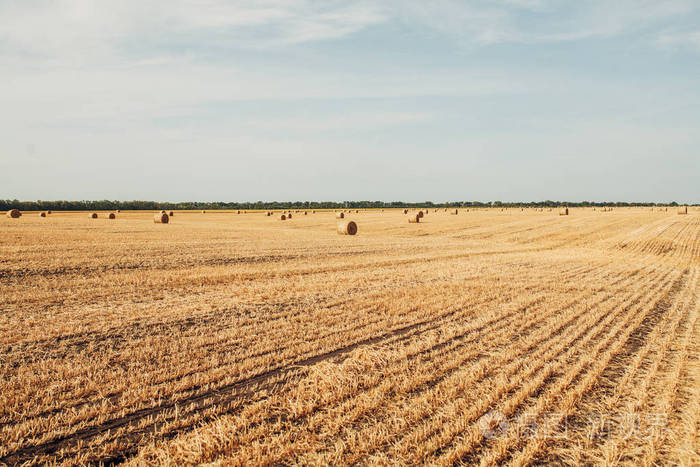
[491,337]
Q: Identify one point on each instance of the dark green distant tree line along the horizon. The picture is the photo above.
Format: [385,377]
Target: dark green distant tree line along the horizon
[106,205]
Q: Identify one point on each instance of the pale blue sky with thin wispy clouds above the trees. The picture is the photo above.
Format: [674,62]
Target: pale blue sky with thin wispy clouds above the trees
[510,100]
